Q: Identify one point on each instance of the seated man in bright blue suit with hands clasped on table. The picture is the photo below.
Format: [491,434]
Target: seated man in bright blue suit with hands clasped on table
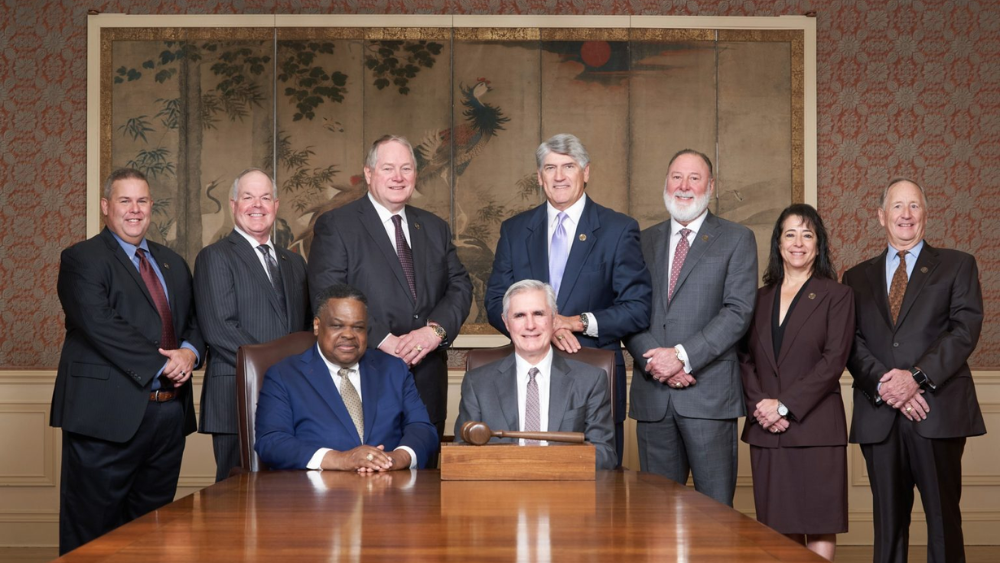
[339,406]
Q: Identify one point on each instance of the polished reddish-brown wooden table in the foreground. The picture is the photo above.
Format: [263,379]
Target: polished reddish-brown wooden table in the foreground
[413,516]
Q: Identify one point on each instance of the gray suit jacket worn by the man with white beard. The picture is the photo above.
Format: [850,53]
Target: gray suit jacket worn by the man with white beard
[709,313]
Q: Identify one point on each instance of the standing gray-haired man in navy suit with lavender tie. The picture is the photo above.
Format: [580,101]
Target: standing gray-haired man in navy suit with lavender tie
[590,256]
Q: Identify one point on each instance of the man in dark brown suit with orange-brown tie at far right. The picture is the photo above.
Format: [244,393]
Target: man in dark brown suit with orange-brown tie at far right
[919,315]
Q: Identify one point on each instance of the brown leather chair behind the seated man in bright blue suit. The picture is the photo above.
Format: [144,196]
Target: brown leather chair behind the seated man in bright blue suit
[252,362]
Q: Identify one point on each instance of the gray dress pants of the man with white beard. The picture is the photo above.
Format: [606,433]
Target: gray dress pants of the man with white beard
[677,446]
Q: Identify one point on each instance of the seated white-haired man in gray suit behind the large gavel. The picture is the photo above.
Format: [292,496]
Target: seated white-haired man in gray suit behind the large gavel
[534,389]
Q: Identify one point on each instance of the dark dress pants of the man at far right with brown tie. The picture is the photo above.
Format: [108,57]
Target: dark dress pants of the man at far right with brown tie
[895,465]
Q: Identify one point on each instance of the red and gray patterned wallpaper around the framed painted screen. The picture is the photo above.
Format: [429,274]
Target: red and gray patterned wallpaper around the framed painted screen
[904,88]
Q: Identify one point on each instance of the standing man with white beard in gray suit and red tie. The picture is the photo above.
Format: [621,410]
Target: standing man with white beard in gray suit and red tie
[686,387]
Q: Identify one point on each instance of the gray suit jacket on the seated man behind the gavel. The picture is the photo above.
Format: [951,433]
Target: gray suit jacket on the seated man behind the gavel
[579,401]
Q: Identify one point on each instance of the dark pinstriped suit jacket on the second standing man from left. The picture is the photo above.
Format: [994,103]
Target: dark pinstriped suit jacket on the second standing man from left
[237,305]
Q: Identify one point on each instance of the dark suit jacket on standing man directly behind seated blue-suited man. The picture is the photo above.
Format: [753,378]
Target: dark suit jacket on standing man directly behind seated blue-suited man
[351,246]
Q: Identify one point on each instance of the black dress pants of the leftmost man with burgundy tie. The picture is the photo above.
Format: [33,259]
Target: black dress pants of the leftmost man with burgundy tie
[106,484]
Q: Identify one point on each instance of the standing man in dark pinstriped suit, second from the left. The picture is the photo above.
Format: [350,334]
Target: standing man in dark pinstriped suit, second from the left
[247,291]
